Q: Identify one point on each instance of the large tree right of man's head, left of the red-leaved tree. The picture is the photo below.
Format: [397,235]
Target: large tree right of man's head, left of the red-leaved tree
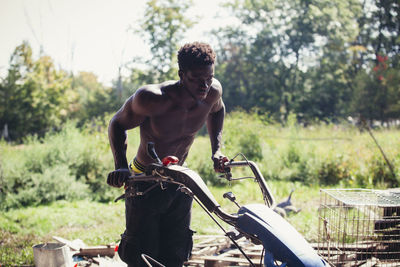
[286,41]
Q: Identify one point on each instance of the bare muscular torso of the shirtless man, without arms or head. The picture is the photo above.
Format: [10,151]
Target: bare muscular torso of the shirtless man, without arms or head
[174,120]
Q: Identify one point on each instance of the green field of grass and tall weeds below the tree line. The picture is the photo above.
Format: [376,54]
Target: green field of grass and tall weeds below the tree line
[56,186]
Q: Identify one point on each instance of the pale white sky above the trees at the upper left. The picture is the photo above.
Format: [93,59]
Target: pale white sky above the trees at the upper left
[90,35]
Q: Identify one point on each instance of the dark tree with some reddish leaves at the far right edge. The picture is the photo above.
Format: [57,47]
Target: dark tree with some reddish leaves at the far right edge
[376,93]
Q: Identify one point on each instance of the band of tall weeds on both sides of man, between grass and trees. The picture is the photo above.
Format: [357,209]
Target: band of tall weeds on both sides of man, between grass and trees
[73,163]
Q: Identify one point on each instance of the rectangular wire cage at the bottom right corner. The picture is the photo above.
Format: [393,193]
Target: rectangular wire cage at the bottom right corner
[359,227]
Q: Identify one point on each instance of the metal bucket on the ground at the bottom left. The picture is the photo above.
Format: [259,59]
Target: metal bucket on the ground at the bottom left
[52,255]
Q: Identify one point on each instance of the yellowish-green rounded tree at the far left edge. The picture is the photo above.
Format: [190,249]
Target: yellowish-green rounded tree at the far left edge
[32,95]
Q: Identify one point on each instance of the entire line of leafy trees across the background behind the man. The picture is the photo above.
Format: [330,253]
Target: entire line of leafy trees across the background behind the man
[320,60]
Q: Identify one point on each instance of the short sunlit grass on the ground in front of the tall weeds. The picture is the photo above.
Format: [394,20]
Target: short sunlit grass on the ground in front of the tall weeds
[102,223]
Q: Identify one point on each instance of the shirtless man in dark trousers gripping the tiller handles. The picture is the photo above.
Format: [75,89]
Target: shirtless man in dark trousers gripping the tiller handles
[169,115]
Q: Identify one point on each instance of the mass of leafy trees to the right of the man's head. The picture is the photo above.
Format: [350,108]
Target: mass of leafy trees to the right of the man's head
[312,58]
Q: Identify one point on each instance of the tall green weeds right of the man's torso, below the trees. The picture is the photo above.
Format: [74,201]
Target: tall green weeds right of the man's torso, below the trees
[319,154]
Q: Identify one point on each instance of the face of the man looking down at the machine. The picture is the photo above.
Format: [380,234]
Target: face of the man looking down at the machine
[198,80]
